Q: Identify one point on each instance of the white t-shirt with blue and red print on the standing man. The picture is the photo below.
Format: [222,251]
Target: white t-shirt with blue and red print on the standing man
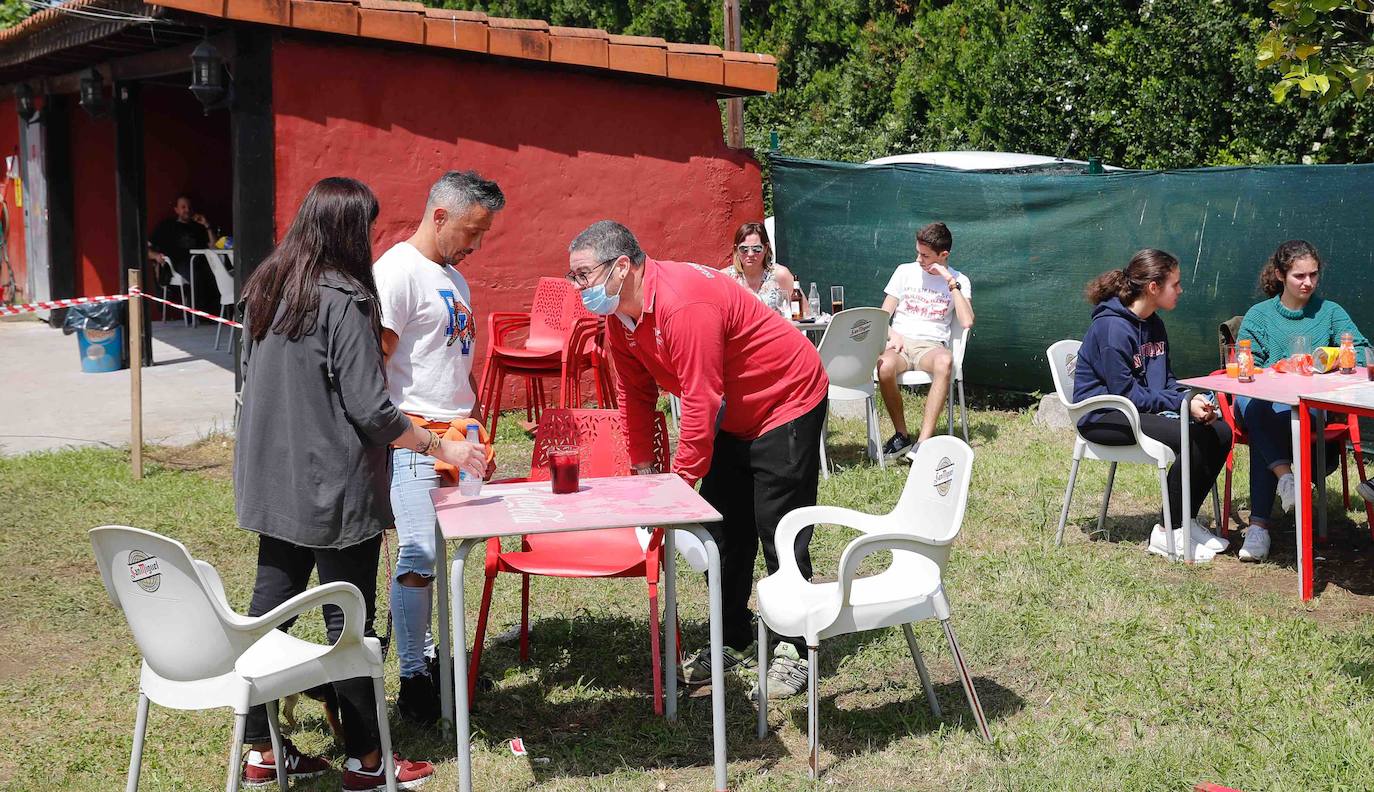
[429,309]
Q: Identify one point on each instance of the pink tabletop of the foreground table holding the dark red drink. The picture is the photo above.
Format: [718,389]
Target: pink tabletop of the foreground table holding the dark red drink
[532,508]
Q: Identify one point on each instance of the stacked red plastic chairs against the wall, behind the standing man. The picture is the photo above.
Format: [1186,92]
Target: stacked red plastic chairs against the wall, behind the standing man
[556,346]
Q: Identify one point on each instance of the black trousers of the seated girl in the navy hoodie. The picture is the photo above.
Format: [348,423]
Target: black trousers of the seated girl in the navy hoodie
[1210,443]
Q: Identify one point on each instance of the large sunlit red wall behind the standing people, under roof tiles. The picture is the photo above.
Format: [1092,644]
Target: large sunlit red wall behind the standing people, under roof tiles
[568,149]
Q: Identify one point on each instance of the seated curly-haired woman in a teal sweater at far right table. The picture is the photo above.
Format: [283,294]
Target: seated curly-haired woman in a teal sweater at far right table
[1294,309]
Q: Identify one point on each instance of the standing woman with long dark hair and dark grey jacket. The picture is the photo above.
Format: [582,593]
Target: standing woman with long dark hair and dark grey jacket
[311,463]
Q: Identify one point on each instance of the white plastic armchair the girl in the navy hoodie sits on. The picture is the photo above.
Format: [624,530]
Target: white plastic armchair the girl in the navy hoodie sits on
[1064,357]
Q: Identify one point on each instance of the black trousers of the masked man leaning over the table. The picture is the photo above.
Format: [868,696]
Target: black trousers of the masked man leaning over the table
[754,483]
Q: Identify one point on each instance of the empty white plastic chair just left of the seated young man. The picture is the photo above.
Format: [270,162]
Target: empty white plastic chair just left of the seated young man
[848,353]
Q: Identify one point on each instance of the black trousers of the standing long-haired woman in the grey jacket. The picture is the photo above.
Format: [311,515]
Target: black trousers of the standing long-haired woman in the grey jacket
[284,573]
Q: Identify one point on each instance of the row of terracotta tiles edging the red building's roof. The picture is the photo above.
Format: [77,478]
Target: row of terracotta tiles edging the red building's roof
[527,39]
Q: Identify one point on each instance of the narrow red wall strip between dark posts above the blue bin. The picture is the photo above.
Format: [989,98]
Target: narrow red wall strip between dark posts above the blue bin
[97,229]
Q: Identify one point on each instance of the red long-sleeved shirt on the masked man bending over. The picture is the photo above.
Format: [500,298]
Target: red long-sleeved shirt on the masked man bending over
[707,339]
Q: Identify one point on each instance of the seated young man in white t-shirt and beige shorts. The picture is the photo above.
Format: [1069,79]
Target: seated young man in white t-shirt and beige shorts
[925,299]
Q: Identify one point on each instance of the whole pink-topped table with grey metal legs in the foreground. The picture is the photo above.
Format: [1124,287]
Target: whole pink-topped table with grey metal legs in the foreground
[532,508]
